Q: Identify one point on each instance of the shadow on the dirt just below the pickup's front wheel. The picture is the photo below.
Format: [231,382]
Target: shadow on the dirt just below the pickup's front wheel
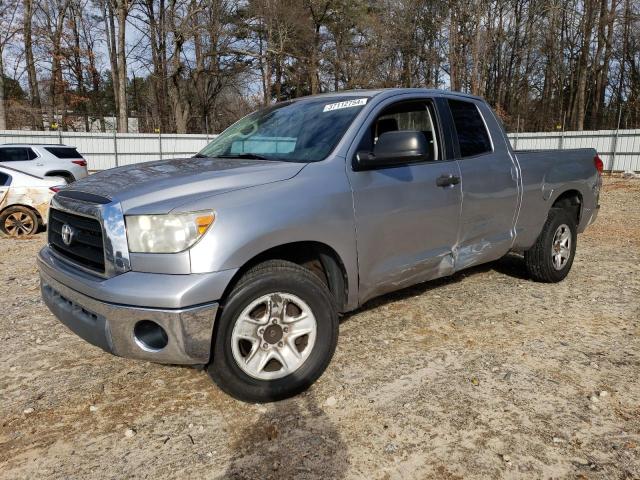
[292,439]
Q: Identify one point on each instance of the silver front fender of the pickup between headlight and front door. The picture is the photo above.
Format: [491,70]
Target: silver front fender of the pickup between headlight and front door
[315,205]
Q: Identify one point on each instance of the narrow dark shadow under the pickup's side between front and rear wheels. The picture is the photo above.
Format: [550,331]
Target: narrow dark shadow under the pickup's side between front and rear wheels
[511,265]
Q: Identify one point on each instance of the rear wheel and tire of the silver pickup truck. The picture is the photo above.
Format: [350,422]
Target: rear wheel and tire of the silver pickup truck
[550,258]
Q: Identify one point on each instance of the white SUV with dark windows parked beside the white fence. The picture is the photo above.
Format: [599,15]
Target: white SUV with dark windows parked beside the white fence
[44,160]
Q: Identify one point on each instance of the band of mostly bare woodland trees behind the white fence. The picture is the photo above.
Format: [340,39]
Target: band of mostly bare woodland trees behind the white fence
[196,64]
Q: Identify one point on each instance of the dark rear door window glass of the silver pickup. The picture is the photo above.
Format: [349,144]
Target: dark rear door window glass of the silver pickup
[473,137]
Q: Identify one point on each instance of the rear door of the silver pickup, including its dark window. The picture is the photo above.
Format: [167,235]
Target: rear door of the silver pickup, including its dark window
[489,184]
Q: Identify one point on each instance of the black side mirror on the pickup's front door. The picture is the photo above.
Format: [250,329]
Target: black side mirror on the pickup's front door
[394,148]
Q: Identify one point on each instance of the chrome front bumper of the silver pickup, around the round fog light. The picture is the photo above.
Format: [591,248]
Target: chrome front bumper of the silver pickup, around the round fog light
[111,326]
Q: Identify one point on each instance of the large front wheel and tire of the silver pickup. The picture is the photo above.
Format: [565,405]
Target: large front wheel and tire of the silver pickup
[295,298]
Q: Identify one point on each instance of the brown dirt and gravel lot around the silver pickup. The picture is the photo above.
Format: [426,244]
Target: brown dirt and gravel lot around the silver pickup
[482,375]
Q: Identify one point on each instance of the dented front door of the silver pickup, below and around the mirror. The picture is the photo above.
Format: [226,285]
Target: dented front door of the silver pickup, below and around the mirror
[406,223]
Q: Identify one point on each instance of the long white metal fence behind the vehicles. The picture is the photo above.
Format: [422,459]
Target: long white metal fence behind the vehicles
[619,151]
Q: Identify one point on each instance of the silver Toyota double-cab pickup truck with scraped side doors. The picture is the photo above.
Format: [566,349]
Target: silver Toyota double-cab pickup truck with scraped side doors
[244,256]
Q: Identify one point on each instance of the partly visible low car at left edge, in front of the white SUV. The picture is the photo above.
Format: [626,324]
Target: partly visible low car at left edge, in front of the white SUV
[24,201]
